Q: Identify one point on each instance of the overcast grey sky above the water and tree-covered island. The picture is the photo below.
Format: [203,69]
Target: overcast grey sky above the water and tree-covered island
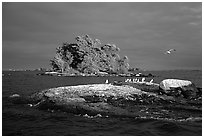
[143,31]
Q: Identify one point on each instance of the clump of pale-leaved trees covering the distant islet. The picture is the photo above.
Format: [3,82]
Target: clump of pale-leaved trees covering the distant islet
[89,56]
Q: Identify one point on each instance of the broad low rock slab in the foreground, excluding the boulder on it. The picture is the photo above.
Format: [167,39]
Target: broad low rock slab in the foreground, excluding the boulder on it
[112,100]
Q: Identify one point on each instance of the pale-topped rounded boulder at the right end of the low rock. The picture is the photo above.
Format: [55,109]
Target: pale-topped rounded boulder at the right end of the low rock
[177,87]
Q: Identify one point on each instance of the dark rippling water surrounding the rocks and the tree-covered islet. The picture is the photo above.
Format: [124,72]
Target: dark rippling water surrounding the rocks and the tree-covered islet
[20,119]
